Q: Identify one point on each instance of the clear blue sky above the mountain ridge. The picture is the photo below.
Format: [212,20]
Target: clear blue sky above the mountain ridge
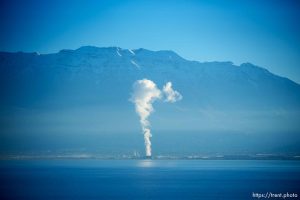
[265,33]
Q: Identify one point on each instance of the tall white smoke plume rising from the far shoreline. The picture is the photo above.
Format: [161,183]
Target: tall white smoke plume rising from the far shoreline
[145,92]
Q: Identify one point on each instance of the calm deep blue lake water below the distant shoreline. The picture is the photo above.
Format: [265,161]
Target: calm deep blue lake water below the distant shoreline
[147,179]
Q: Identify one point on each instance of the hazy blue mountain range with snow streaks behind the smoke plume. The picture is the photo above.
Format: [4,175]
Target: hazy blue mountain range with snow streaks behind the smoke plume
[87,91]
